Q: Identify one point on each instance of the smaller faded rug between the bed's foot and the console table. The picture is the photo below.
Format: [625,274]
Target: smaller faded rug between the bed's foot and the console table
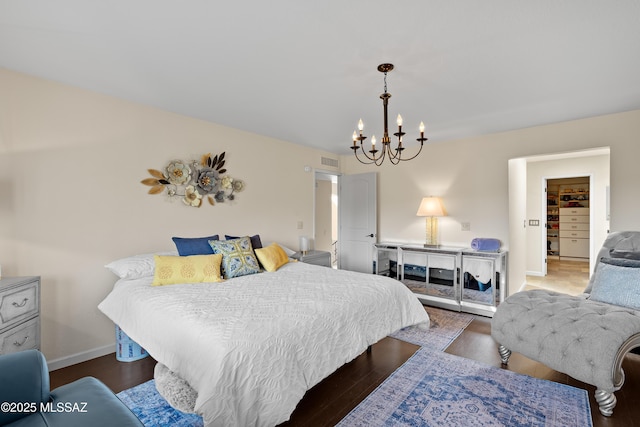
[446,326]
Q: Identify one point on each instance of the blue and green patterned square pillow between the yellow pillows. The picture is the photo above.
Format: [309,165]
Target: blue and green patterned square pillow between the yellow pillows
[238,258]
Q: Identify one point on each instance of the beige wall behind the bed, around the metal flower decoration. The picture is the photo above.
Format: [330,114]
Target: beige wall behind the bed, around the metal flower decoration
[71,162]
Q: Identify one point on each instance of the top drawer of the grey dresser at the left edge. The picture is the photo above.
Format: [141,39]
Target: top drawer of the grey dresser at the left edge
[18,304]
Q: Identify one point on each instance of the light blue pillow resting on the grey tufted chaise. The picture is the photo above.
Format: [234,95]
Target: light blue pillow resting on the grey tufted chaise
[617,281]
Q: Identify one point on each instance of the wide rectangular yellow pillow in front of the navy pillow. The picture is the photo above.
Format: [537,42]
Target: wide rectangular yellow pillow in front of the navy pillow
[171,270]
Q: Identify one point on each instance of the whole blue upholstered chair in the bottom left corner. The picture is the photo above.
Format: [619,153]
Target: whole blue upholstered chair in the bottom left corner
[27,401]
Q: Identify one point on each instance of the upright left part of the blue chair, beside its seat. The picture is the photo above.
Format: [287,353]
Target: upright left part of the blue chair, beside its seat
[24,378]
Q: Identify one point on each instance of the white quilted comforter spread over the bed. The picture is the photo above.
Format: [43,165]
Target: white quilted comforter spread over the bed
[252,346]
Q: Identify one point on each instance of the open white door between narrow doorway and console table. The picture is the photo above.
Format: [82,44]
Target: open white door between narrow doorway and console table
[358,221]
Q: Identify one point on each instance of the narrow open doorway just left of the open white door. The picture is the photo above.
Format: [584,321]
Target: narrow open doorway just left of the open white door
[325,224]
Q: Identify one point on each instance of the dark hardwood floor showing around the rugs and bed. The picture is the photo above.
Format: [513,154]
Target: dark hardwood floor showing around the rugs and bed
[329,401]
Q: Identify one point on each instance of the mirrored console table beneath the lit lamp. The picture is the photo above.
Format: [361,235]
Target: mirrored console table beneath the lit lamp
[456,278]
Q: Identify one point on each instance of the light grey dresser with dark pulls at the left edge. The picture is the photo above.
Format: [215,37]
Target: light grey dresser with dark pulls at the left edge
[19,314]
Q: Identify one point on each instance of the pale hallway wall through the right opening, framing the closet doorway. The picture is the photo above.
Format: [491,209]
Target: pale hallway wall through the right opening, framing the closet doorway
[597,167]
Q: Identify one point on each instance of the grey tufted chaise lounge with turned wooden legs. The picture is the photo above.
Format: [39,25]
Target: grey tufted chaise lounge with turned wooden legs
[579,335]
